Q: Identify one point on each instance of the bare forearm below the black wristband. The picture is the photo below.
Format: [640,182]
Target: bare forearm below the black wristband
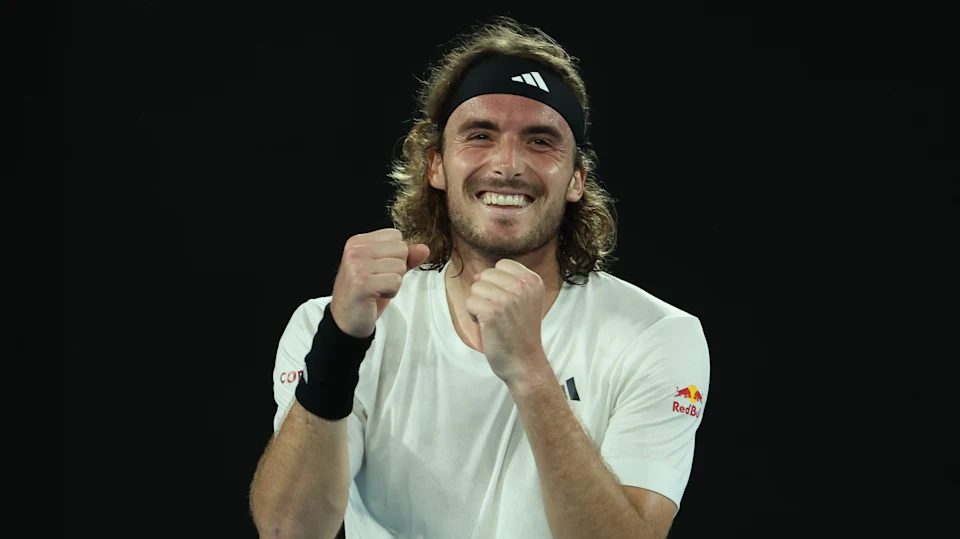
[302,481]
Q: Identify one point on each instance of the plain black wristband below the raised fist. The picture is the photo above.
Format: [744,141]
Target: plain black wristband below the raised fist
[332,370]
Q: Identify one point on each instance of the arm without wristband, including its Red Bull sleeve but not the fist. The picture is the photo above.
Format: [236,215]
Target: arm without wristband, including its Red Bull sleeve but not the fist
[648,442]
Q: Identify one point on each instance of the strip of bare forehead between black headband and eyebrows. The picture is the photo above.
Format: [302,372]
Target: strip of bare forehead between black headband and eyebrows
[509,112]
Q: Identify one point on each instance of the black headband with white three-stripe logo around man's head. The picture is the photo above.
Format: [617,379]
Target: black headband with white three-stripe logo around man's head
[526,77]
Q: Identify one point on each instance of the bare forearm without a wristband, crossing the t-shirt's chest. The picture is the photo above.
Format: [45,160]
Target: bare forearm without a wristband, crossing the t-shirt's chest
[580,495]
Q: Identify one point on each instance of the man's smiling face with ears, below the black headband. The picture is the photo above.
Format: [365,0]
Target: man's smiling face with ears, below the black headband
[508,171]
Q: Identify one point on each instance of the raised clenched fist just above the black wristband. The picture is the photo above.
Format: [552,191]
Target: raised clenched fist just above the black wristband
[371,270]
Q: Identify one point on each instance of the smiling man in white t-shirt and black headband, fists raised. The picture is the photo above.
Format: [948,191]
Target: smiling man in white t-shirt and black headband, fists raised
[475,373]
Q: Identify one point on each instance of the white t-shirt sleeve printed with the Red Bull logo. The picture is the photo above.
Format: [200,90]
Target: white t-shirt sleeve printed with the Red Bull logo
[658,407]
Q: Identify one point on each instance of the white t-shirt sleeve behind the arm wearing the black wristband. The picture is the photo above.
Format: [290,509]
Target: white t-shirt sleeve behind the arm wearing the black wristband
[295,342]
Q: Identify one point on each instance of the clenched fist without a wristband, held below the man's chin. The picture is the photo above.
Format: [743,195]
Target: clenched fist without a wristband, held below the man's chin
[507,302]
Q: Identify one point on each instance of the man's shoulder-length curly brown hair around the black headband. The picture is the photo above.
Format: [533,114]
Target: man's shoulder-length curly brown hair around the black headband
[587,234]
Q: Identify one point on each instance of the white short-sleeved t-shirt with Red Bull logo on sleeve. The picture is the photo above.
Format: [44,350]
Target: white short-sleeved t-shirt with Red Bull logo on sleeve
[436,446]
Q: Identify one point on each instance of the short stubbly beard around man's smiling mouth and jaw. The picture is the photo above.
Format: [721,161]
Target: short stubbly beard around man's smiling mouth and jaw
[469,225]
